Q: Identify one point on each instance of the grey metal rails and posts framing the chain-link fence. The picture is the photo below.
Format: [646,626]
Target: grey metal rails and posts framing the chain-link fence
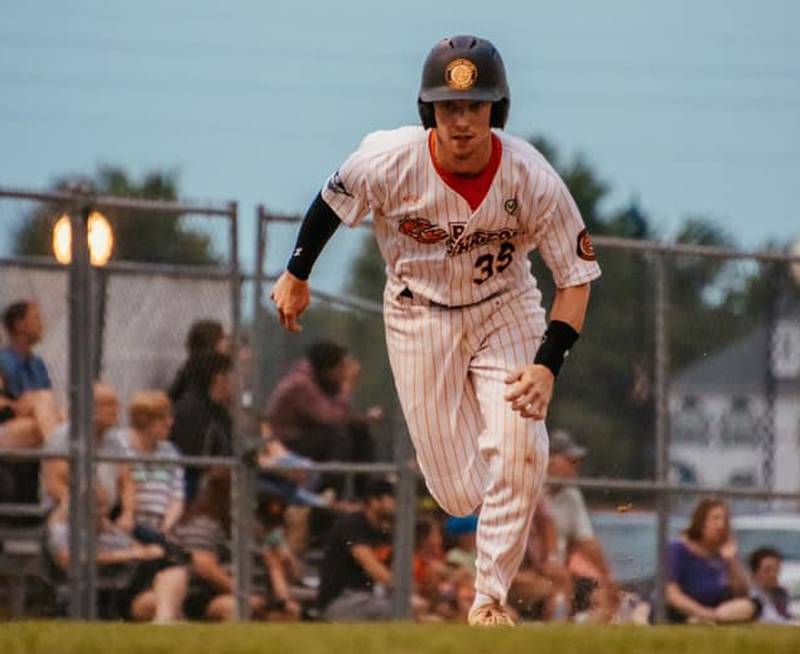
[663,263]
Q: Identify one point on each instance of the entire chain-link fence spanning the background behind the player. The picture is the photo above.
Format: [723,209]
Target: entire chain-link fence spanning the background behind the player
[686,382]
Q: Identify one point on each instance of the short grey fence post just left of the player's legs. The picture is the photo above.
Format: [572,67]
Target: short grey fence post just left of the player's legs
[404,528]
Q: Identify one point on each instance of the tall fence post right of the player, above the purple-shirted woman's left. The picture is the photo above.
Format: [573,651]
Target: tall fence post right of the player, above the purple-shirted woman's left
[662,433]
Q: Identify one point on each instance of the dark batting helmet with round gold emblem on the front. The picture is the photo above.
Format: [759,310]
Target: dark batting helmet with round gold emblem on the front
[464,68]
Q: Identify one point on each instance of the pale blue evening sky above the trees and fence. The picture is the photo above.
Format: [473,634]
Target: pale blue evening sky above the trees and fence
[687,107]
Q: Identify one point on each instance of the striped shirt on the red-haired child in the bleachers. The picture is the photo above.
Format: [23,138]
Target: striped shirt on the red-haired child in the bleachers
[157,485]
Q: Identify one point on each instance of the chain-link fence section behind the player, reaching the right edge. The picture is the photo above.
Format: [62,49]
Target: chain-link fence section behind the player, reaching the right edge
[685,384]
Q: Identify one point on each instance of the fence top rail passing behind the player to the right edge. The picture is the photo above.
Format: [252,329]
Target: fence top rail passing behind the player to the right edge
[618,243]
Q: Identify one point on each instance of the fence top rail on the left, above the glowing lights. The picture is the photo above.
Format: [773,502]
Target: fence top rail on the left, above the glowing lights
[110,201]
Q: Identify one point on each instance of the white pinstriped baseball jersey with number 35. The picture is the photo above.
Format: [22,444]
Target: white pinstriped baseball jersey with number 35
[436,245]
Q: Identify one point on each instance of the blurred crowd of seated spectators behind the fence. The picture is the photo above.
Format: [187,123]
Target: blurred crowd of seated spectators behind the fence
[324,540]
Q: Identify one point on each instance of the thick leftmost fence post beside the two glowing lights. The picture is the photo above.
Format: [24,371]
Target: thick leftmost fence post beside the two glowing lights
[81,437]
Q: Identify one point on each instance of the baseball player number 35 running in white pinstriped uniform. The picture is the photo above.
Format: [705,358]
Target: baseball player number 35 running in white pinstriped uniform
[457,206]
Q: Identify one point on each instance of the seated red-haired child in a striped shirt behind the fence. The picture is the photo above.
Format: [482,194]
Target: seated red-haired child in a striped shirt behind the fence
[159,487]
